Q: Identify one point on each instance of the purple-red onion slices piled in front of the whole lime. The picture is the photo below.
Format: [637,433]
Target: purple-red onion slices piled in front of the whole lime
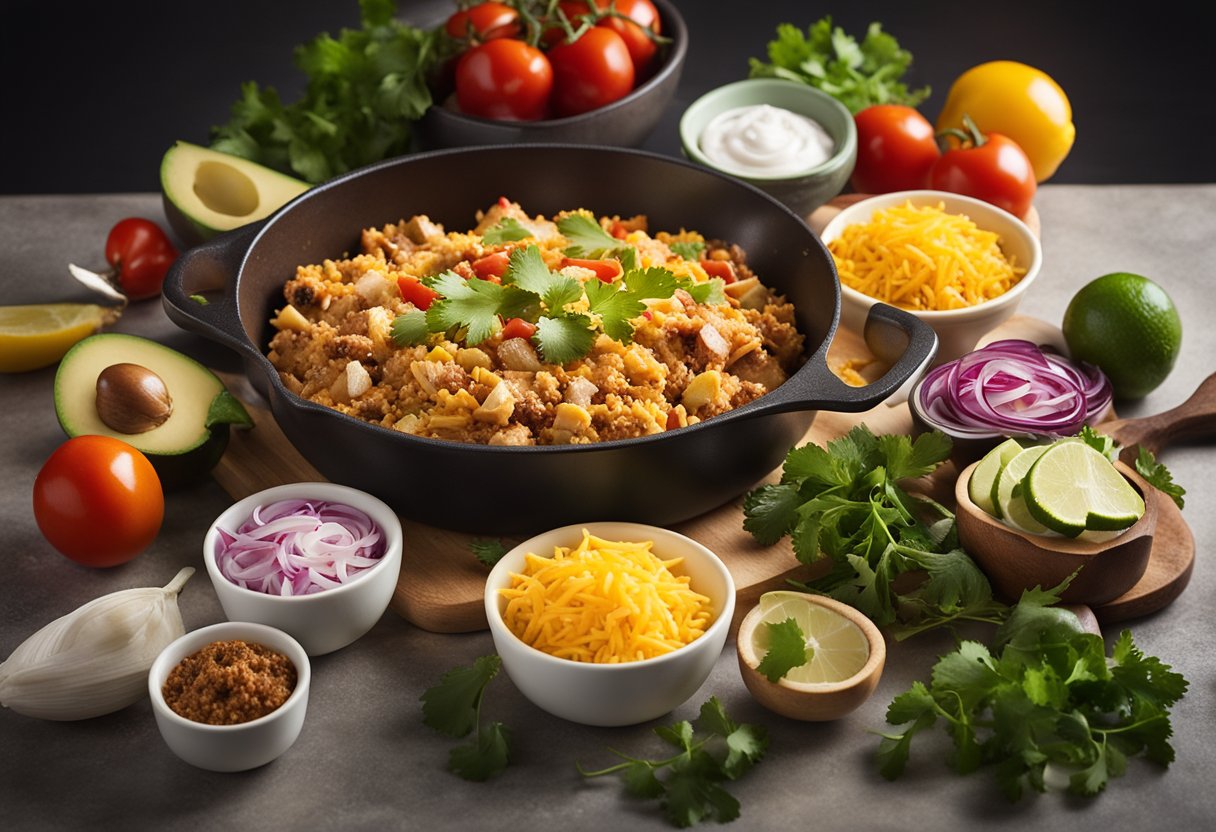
[1016,389]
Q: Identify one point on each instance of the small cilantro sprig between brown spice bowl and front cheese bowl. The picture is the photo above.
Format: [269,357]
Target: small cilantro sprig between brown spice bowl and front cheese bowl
[454,709]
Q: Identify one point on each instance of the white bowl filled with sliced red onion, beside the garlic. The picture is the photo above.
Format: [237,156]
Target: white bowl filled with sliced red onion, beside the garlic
[316,560]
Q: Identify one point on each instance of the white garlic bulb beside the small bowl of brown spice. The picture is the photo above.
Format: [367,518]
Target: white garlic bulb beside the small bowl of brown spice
[97,660]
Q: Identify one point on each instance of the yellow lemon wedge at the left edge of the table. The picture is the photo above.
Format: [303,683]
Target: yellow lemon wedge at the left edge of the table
[40,335]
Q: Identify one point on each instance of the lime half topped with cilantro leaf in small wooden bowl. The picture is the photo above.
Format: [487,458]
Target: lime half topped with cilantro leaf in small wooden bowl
[840,648]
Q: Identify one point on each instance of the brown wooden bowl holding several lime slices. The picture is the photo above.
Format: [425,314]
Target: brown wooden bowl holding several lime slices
[1017,561]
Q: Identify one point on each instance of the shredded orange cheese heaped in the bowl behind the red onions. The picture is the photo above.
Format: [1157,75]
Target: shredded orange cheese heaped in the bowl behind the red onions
[924,258]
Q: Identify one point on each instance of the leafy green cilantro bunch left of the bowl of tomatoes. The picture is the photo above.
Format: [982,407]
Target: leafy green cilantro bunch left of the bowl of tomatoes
[365,91]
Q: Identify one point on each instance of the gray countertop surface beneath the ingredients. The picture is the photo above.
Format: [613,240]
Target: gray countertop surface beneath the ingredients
[365,761]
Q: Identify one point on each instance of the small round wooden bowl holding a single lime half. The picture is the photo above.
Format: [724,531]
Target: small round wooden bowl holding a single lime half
[819,702]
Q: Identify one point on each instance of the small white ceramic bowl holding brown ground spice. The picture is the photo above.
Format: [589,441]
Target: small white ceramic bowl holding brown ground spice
[232,747]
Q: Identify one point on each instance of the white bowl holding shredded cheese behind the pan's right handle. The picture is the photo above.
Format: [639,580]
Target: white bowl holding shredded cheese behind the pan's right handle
[959,330]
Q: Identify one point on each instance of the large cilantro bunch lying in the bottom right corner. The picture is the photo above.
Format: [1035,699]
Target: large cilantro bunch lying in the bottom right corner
[1046,696]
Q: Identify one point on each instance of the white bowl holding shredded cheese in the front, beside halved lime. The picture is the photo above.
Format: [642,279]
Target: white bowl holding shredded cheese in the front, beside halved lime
[612,695]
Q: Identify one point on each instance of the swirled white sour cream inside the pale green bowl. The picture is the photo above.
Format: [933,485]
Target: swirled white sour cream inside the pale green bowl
[762,140]
